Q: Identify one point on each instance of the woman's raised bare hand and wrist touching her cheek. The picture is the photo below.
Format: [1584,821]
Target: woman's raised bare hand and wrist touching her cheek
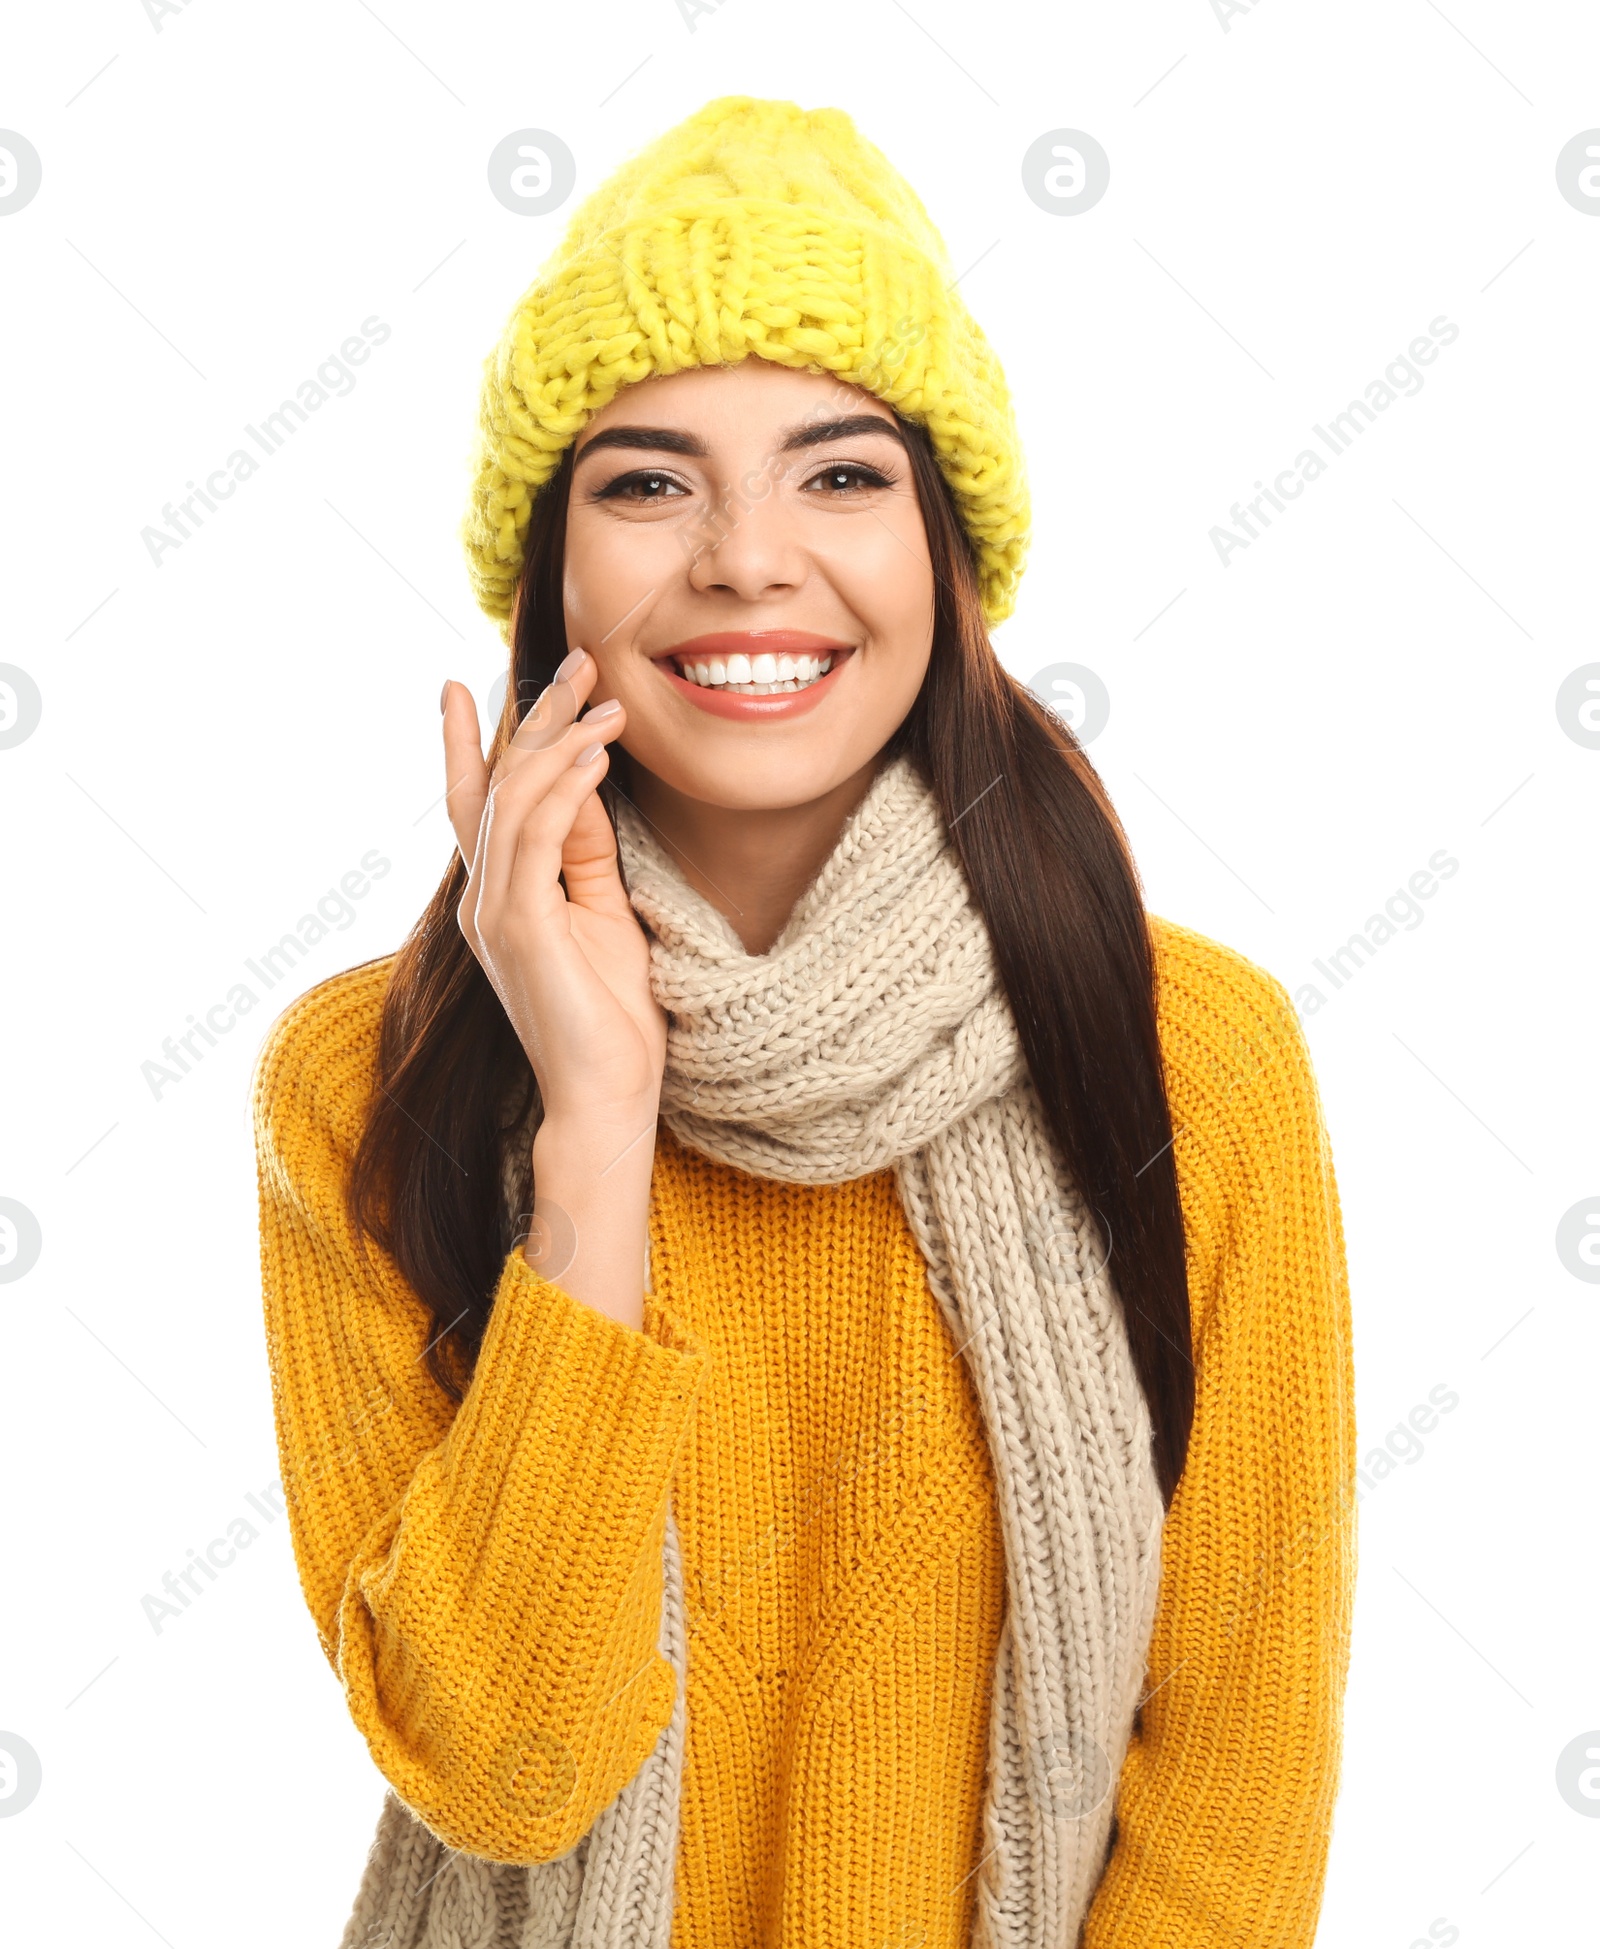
[570,966]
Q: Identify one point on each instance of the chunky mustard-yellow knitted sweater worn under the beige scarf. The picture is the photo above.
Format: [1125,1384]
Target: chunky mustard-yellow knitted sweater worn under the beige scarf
[486,1580]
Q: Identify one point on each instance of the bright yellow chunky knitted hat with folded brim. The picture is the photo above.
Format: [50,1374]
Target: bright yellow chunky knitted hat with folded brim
[753,227]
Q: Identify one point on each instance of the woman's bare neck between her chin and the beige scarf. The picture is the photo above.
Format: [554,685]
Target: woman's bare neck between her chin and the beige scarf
[749,864]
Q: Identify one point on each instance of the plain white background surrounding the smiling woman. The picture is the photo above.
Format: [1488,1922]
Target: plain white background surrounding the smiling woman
[1295,194]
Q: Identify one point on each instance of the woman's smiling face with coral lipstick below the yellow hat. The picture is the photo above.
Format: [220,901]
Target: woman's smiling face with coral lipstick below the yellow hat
[732,533]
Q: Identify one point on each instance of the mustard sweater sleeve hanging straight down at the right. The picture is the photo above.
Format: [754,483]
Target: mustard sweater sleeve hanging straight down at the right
[1227,1798]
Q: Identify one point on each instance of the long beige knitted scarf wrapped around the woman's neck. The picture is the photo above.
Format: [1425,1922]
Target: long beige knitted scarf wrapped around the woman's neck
[876,1034]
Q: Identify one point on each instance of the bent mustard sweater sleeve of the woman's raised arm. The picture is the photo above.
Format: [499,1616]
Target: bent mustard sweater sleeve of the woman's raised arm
[484,1578]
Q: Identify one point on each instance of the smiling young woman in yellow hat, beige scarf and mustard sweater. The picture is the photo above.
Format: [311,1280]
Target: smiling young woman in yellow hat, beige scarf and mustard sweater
[810,1332]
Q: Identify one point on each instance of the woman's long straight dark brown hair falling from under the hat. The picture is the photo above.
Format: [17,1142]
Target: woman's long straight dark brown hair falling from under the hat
[1053,876]
